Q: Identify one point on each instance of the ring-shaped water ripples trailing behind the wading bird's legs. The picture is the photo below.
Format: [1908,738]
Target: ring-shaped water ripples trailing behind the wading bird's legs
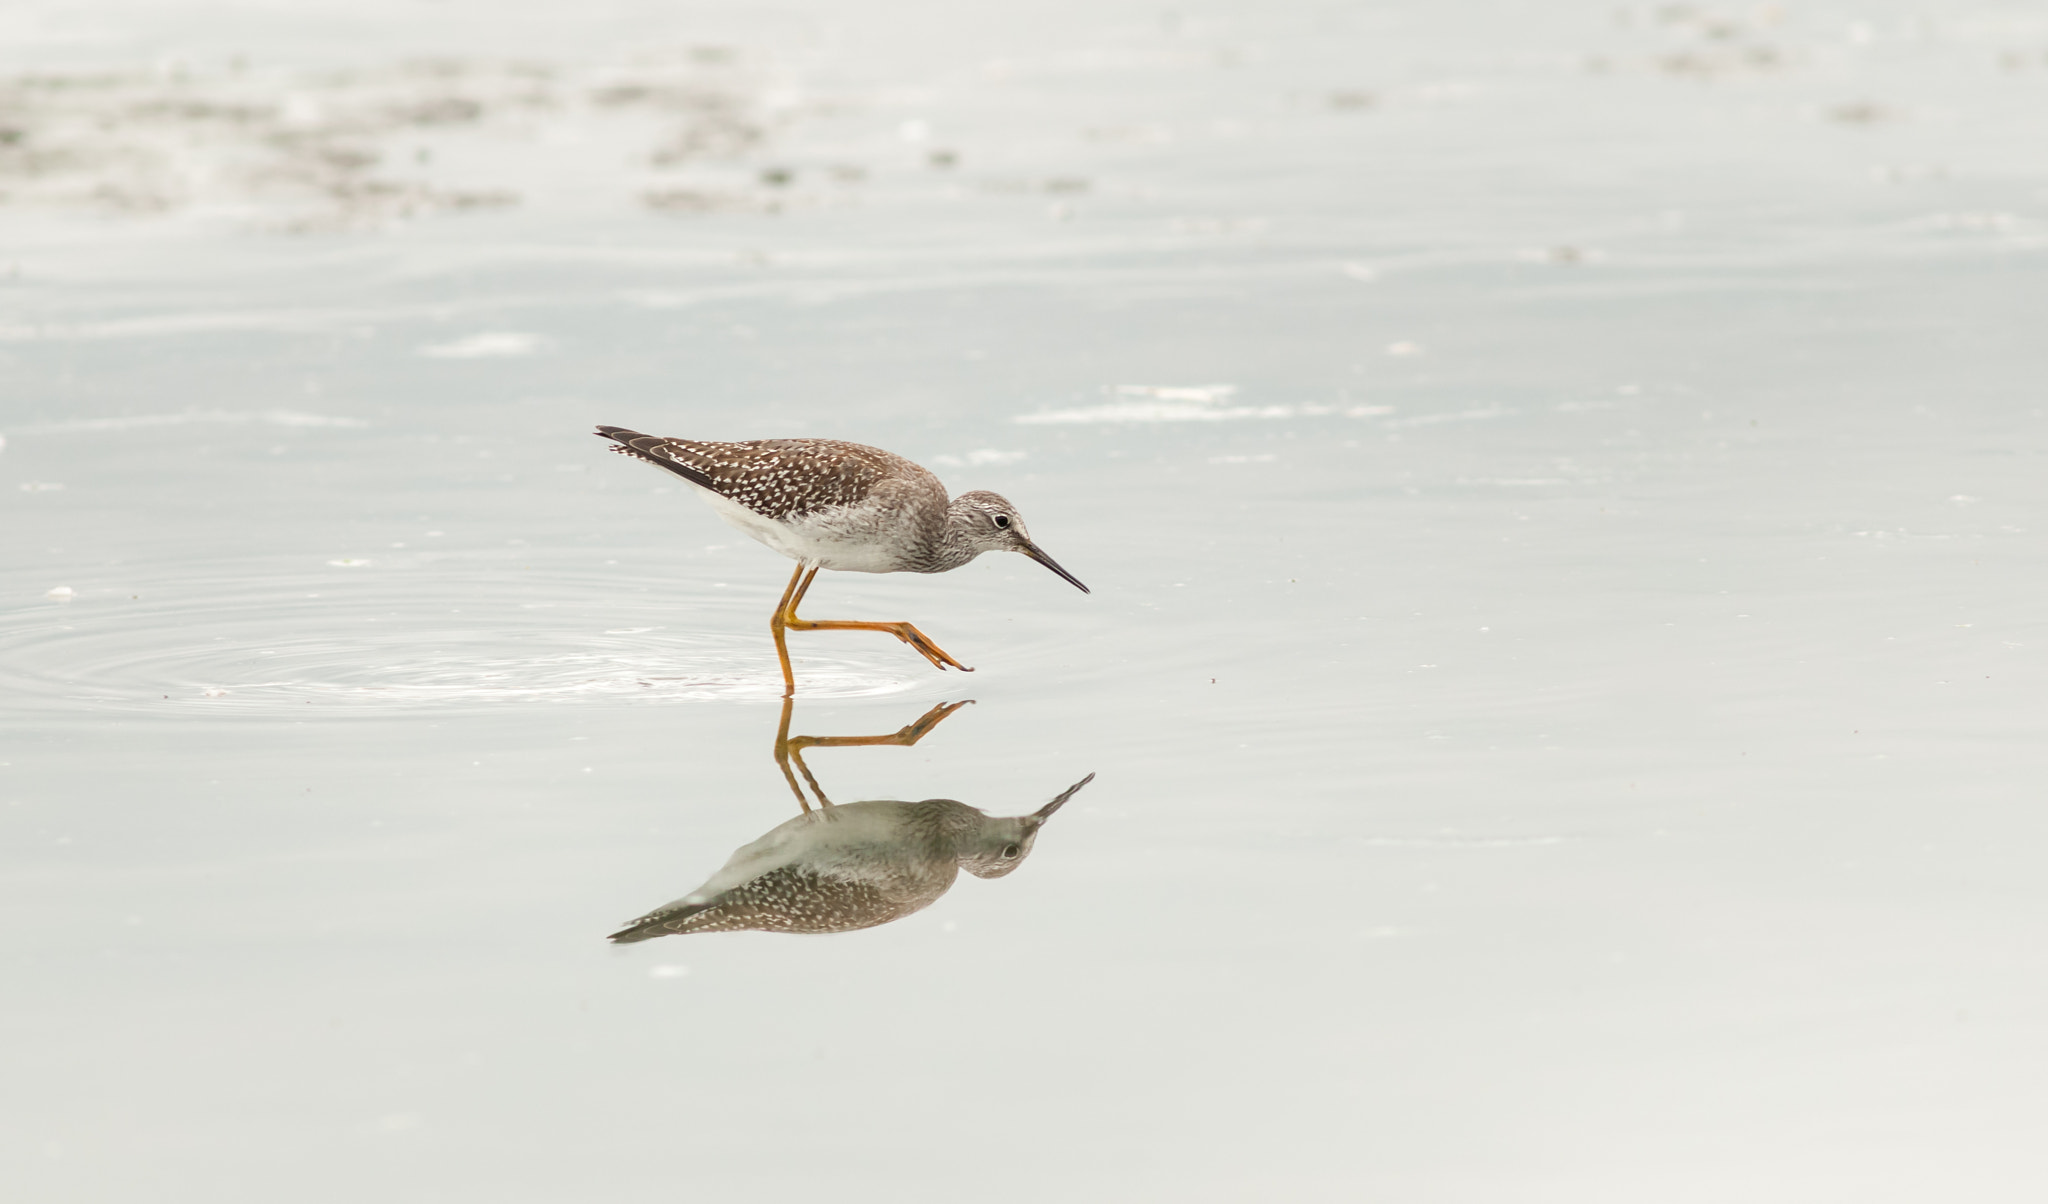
[282,642]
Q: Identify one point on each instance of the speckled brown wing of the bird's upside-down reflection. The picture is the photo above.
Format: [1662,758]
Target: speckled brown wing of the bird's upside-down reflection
[796,900]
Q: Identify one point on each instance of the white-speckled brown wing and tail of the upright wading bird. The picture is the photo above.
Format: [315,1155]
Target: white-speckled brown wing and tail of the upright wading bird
[775,478]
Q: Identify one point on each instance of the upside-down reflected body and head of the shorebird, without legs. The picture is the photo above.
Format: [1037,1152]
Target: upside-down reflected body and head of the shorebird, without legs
[851,867]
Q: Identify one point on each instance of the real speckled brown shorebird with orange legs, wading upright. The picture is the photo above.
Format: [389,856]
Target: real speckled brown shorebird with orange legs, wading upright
[830,505]
